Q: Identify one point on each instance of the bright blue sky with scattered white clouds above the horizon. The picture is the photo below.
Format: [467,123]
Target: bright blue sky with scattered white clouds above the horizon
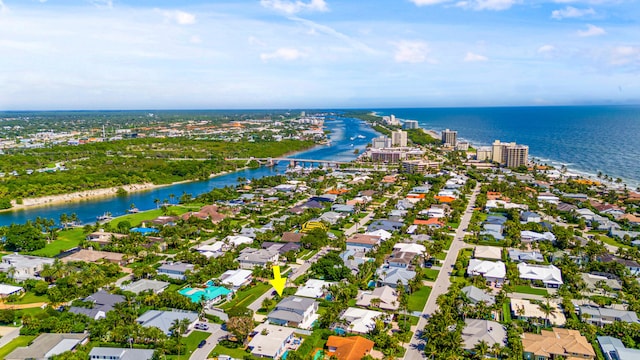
[224,54]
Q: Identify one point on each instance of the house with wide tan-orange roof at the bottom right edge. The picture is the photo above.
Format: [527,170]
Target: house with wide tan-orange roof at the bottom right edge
[547,345]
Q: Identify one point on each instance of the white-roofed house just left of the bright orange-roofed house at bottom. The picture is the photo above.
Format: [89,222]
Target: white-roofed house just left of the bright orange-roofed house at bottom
[270,341]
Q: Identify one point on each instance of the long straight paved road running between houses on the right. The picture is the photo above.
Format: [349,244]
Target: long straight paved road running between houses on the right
[442,283]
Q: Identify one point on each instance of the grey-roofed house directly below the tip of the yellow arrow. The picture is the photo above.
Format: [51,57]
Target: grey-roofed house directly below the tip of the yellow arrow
[295,311]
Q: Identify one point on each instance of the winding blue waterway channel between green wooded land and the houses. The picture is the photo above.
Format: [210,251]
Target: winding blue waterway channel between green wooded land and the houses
[342,147]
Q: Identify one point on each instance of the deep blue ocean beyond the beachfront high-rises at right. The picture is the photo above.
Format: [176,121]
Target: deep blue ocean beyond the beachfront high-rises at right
[586,139]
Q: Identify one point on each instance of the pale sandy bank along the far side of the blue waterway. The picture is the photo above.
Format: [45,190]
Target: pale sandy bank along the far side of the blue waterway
[78,196]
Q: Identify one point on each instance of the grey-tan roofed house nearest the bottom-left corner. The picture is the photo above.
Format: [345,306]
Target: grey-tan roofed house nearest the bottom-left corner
[46,346]
